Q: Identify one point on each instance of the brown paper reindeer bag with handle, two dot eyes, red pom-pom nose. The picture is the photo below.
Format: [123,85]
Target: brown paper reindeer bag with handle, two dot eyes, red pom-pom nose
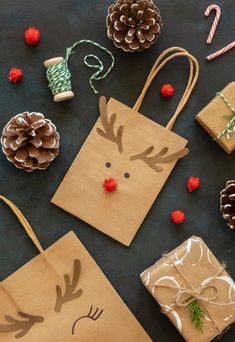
[134,150]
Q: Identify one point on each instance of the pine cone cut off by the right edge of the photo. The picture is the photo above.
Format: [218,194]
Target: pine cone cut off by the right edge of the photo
[227,203]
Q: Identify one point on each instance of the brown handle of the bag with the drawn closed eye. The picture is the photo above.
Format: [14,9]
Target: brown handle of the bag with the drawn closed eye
[24,223]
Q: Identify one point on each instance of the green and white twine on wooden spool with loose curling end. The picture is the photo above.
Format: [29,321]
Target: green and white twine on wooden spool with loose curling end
[59,76]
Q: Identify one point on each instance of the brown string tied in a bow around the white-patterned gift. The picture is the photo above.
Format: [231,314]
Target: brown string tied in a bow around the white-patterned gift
[195,293]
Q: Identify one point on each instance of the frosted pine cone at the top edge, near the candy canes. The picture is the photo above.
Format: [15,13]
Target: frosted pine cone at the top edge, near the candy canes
[133,25]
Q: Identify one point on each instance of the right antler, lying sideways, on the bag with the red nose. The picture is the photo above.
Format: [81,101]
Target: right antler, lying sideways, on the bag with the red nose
[159,158]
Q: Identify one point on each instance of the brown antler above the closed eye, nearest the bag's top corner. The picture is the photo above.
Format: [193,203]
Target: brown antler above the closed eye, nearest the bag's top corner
[69,288]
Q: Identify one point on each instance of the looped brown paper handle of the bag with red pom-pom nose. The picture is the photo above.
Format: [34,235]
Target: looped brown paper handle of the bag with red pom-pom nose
[161,61]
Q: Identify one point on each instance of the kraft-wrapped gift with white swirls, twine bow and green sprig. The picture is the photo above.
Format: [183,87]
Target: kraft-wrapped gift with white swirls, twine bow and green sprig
[190,276]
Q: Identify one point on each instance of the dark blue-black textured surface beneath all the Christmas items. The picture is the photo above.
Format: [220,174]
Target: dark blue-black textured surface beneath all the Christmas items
[63,22]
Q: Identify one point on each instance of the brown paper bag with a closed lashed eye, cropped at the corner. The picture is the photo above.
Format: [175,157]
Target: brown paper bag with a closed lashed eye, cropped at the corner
[61,295]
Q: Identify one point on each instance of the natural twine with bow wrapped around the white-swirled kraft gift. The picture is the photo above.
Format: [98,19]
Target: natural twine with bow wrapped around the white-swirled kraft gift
[186,296]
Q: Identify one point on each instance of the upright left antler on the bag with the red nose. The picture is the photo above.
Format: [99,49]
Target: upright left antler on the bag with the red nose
[108,125]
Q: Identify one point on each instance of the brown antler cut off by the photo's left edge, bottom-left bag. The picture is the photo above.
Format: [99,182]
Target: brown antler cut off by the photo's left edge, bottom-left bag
[22,326]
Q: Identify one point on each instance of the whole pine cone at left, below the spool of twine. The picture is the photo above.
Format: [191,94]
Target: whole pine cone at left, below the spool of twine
[30,141]
